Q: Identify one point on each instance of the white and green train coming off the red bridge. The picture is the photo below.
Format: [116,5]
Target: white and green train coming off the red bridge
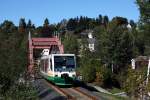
[59,69]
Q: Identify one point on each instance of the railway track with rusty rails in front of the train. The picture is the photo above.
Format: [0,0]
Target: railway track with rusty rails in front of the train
[75,93]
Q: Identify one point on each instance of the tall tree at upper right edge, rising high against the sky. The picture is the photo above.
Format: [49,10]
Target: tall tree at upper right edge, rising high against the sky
[144,25]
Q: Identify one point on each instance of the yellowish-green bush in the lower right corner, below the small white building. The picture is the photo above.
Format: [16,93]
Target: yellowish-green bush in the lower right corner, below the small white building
[135,83]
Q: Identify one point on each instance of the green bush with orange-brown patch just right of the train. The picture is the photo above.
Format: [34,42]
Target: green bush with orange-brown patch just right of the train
[90,68]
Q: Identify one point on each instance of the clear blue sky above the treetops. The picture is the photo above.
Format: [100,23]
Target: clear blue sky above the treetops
[56,10]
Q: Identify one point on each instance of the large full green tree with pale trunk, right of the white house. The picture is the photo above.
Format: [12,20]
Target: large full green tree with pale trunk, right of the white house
[114,48]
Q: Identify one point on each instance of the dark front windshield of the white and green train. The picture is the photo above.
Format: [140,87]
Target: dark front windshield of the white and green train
[64,63]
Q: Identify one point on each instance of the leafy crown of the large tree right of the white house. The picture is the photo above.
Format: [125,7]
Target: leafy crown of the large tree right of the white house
[115,44]
